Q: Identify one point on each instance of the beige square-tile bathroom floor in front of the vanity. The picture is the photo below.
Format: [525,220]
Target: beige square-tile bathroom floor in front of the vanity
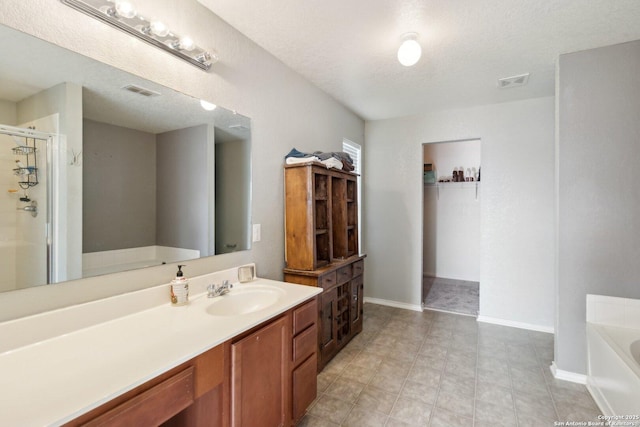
[409,368]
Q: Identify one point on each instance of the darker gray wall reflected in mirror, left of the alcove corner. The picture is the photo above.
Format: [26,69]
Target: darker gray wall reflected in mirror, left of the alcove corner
[119,192]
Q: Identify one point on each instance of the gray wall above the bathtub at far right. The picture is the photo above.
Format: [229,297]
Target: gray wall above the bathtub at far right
[598,202]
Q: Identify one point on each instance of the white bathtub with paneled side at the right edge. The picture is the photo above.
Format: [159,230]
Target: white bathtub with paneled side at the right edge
[613,377]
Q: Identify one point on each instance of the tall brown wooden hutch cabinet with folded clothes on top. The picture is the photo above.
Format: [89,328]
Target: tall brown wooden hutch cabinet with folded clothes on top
[321,226]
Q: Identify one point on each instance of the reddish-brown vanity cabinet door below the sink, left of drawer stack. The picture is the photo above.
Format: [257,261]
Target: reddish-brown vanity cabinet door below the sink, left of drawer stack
[259,377]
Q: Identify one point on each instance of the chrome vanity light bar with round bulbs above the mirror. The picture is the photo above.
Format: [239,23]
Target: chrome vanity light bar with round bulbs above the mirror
[152,32]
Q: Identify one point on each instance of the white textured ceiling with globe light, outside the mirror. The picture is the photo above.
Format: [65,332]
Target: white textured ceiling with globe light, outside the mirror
[348,48]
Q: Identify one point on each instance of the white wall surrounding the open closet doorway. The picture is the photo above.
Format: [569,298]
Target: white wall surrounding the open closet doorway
[517,210]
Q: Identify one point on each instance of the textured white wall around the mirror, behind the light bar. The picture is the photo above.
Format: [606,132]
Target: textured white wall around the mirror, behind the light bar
[285,110]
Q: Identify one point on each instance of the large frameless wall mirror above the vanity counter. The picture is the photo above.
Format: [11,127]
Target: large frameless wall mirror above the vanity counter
[120,173]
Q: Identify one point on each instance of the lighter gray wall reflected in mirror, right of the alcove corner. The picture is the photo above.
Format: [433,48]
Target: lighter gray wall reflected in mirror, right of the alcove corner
[183,188]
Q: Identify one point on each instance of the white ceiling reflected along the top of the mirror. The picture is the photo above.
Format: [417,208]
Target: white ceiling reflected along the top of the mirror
[31,65]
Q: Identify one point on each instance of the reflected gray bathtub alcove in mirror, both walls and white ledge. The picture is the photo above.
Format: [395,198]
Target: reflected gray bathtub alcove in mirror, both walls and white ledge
[145,196]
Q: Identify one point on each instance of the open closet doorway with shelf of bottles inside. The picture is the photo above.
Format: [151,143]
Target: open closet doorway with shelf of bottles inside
[451,226]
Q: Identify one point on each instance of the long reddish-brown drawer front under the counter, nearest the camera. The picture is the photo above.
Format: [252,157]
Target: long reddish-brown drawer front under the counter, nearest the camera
[154,406]
